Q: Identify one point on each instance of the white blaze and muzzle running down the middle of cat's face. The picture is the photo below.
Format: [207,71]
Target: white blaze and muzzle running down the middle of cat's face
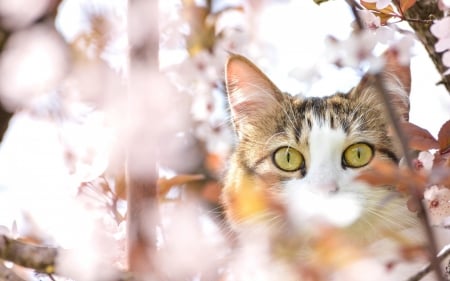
[327,192]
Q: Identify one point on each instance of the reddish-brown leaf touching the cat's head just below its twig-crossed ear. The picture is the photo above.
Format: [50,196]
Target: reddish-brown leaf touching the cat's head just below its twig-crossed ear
[419,138]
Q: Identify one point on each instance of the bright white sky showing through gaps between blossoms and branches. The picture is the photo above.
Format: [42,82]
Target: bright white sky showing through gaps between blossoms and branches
[296,29]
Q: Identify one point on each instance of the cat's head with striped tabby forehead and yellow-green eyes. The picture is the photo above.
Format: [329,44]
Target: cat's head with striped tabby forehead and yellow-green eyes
[288,145]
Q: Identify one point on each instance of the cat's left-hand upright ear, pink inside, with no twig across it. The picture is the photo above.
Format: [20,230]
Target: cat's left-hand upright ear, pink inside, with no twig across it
[251,95]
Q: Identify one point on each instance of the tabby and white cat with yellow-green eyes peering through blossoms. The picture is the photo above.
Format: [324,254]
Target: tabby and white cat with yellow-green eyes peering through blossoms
[292,150]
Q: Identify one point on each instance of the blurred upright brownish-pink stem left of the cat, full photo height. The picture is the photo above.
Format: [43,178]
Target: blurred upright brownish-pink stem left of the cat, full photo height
[142,200]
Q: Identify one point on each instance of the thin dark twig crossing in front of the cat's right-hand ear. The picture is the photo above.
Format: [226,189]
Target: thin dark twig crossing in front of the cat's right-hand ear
[413,191]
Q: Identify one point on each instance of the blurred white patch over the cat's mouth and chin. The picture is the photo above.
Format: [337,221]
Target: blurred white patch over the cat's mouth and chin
[309,206]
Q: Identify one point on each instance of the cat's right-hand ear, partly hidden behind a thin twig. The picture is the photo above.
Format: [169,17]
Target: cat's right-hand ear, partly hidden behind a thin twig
[396,79]
